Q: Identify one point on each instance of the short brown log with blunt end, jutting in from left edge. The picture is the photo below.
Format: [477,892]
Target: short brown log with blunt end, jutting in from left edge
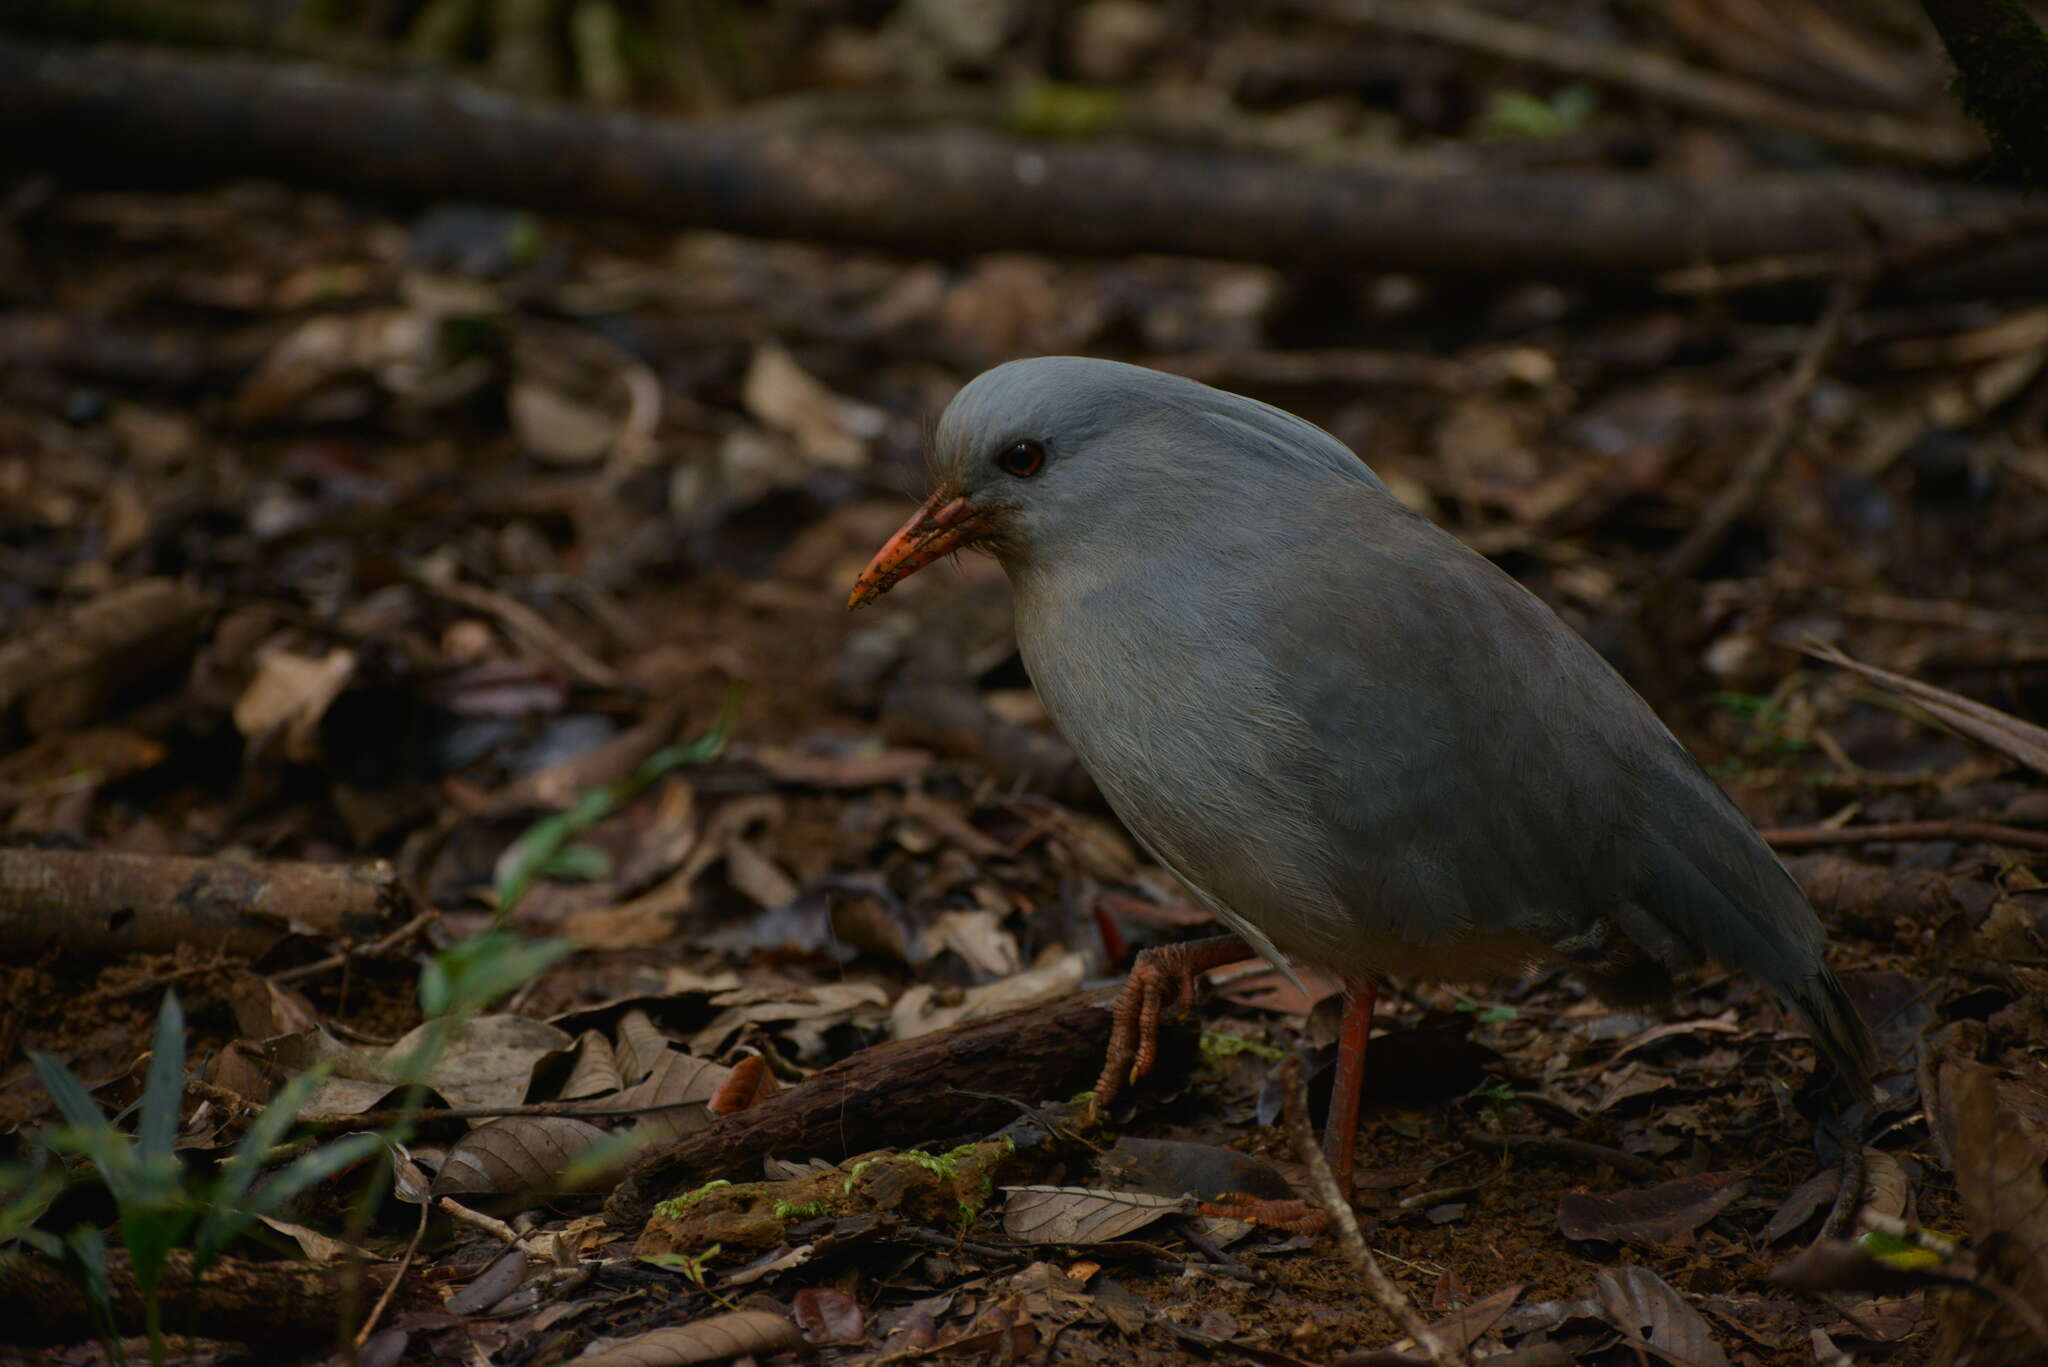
[120,905]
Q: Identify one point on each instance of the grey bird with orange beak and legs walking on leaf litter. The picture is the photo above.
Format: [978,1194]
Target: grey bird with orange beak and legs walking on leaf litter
[1361,743]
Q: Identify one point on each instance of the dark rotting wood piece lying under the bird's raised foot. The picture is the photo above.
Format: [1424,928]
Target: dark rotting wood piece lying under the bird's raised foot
[904,1091]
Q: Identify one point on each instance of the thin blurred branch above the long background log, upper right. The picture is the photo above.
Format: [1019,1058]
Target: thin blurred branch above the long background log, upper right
[1928,140]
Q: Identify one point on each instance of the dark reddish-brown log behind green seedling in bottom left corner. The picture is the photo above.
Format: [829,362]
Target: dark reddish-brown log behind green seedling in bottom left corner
[284,1302]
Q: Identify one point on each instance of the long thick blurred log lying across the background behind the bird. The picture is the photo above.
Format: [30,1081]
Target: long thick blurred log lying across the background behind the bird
[941,192]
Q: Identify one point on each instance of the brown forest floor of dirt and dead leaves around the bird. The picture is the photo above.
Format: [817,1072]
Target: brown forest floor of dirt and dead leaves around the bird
[343,532]
